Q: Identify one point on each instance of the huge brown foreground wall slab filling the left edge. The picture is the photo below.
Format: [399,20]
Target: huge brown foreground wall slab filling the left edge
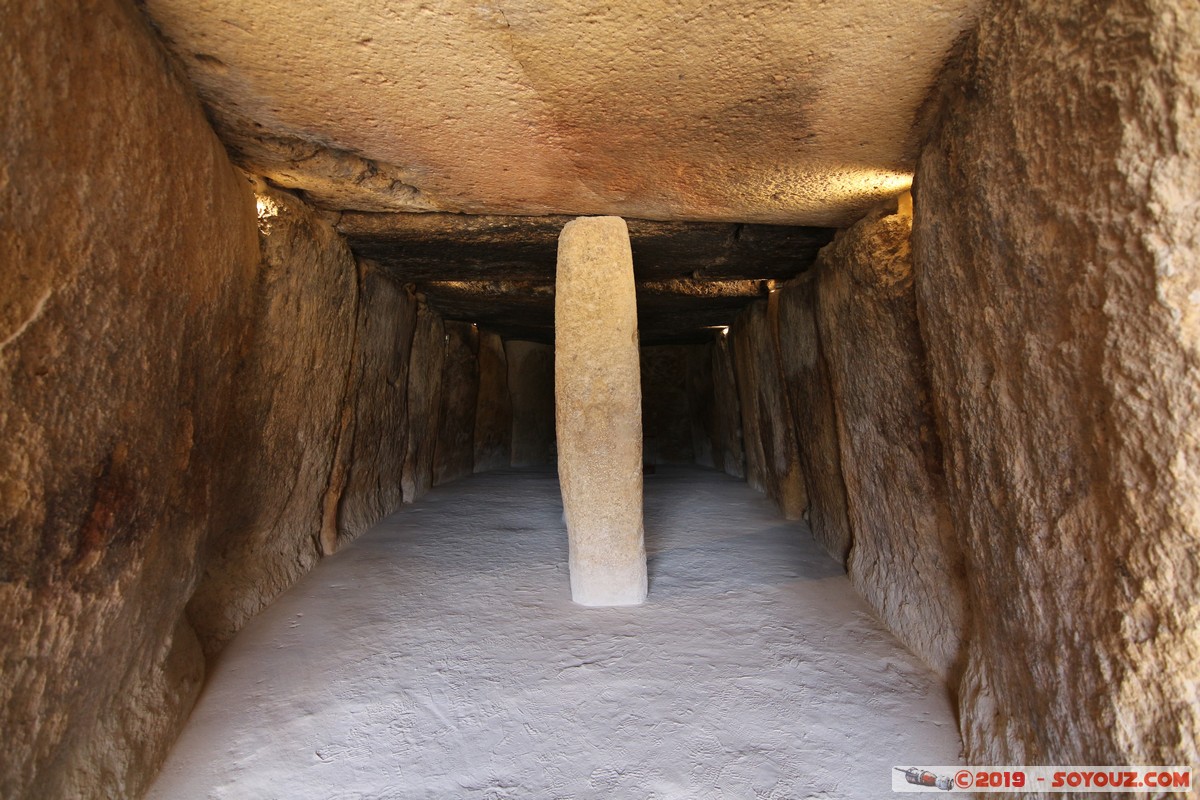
[128,262]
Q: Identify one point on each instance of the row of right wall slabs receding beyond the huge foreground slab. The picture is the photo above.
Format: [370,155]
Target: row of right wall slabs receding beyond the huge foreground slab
[845,407]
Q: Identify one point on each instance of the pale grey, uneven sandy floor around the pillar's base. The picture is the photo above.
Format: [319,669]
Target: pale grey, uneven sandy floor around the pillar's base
[440,657]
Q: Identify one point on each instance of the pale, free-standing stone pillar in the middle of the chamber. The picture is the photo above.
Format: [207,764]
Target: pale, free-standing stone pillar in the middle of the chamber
[598,400]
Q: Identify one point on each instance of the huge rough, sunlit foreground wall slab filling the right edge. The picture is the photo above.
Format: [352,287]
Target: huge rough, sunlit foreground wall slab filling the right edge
[1057,255]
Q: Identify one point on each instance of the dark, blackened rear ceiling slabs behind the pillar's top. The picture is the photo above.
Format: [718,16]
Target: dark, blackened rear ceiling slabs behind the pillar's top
[500,272]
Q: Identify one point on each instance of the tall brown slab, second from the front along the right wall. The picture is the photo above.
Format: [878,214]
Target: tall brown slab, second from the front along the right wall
[905,558]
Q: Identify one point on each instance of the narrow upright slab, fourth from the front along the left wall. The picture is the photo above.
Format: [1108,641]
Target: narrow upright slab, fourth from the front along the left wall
[425,364]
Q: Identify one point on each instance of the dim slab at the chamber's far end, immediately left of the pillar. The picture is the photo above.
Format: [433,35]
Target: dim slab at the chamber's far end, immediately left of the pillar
[532,389]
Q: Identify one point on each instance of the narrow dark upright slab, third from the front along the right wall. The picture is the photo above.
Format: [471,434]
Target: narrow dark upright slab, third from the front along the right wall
[811,395]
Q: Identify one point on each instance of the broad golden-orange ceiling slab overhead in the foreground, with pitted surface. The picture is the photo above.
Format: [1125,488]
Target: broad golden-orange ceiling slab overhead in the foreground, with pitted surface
[748,112]
